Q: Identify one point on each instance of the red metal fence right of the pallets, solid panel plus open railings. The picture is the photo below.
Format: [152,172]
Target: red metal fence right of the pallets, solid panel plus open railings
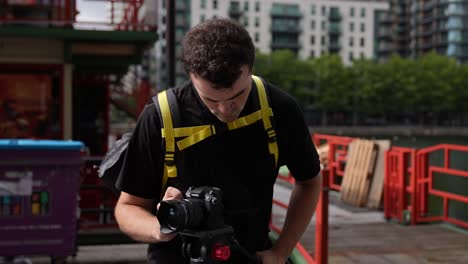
[410,182]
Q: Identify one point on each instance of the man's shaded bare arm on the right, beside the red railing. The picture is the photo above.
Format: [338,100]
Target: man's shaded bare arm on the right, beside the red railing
[302,205]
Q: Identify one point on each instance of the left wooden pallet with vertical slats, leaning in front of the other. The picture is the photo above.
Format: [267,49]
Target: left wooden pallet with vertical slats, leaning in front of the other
[358,172]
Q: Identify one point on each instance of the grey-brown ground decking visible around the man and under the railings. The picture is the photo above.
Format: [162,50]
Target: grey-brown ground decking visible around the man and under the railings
[356,235]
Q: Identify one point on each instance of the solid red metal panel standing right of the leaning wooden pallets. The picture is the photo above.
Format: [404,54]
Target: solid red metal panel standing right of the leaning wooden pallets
[399,182]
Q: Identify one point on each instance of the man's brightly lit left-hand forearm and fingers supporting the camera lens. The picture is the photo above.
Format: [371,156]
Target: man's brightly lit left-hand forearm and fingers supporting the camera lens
[135,219]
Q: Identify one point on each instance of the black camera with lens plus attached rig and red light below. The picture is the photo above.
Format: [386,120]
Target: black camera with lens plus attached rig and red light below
[198,218]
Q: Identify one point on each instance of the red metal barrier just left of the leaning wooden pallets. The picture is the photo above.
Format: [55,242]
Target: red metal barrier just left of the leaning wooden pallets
[337,152]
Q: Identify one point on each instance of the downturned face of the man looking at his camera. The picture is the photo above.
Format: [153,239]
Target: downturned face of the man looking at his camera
[225,103]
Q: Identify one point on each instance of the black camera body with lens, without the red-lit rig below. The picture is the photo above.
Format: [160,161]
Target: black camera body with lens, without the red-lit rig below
[201,209]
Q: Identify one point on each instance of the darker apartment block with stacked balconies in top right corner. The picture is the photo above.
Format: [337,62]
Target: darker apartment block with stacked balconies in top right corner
[415,27]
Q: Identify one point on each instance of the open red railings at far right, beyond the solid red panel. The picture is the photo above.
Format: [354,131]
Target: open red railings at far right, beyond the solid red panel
[425,184]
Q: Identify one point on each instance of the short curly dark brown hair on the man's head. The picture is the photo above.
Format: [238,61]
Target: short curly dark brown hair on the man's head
[216,50]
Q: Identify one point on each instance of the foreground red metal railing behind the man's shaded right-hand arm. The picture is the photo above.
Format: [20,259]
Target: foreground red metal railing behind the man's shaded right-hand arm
[321,226]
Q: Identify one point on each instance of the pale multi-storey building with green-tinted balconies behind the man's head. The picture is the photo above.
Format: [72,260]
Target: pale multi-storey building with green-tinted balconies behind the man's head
[308,28]
